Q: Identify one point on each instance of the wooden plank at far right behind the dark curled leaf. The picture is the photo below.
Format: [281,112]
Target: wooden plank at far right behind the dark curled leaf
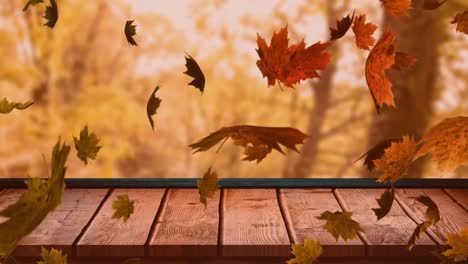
[453,216]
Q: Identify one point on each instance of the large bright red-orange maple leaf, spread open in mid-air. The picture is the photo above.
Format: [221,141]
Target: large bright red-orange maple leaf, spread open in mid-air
[290,64]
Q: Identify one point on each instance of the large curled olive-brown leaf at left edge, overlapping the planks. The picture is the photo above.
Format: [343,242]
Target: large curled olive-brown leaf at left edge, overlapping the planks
[41,197]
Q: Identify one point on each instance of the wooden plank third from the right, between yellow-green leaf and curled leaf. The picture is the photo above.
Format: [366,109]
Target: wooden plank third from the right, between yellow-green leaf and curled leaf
[389,236]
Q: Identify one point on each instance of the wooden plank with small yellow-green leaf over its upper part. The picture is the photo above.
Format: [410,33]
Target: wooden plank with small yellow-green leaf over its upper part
[112,237]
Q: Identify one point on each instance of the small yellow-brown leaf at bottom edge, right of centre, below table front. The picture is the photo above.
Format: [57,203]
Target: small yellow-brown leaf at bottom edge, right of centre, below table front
[307,253]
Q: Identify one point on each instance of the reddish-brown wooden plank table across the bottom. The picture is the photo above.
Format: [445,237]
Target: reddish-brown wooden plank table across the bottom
[237,226]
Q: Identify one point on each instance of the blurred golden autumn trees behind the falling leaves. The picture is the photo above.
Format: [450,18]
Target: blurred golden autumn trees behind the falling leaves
[84,72]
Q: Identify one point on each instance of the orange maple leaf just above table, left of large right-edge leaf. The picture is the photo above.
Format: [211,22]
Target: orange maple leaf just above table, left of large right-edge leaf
[395,162]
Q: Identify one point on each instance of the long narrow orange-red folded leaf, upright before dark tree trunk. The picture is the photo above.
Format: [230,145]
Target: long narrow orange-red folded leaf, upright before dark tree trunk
[381,57]
